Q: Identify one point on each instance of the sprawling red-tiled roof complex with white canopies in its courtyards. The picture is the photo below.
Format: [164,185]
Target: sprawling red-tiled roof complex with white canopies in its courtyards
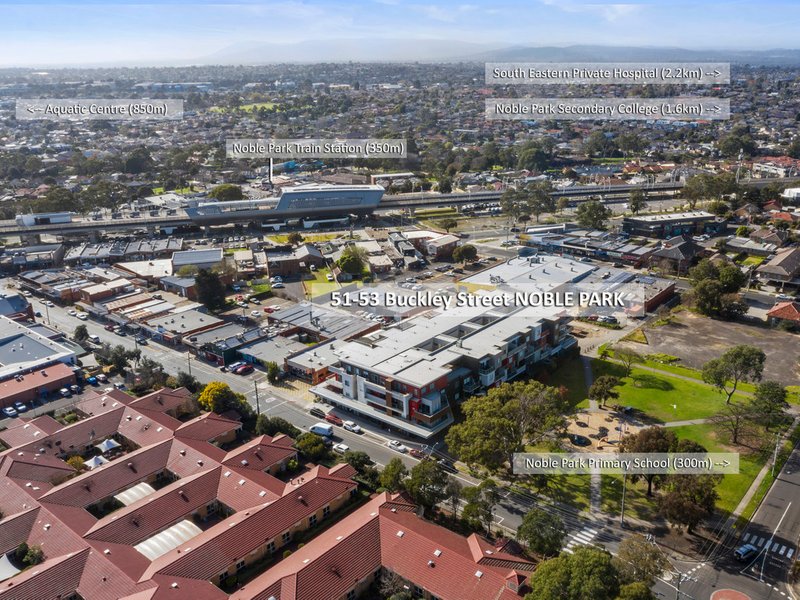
[168,519]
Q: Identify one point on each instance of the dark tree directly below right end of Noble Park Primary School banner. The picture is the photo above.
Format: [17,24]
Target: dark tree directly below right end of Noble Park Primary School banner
[689,498]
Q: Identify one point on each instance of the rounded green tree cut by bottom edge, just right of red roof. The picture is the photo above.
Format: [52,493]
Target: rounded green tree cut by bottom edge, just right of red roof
[586,574]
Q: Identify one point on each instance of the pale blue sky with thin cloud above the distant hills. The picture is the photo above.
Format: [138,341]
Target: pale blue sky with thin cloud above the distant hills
[177,31]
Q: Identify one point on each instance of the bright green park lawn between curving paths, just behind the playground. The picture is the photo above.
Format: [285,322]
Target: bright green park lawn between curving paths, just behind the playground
[655,394]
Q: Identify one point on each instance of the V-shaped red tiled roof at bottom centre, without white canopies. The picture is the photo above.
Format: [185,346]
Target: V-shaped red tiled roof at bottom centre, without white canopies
[386,536]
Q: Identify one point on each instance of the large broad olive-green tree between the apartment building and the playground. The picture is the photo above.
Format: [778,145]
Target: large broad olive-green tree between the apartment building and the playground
[502,422]
